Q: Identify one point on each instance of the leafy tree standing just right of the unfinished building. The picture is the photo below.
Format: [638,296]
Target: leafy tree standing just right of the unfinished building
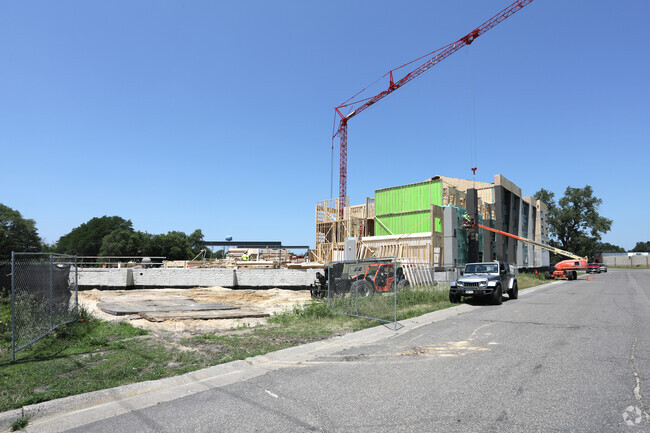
[574,222]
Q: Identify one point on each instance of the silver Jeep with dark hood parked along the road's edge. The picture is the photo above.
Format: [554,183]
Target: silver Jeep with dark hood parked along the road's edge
[488,280]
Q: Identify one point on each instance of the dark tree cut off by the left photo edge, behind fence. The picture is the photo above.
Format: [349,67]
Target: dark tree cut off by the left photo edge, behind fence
[17,233]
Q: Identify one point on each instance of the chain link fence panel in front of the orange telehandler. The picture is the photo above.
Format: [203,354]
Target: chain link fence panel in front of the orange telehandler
[377,288]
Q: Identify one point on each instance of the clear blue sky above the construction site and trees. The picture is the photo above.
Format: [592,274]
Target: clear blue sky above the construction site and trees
[218,115]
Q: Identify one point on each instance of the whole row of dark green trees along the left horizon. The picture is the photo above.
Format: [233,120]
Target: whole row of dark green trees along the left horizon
[100,236]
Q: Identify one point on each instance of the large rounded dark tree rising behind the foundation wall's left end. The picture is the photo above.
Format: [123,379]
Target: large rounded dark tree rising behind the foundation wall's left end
[86,240]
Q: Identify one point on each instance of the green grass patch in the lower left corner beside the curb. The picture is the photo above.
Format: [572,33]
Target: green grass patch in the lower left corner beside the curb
[82,357]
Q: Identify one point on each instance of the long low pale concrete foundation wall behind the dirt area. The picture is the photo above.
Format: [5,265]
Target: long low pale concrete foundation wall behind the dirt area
[90,278]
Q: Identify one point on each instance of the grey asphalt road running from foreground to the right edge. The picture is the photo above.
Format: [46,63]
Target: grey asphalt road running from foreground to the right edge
[570,356]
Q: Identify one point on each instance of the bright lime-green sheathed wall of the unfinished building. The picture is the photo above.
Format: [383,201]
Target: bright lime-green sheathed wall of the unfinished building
[403,209]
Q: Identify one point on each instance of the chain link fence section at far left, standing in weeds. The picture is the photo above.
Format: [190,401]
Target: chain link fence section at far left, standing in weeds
[43,296]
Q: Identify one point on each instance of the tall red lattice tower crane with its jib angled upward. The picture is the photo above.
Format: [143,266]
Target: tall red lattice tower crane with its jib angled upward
[434,58]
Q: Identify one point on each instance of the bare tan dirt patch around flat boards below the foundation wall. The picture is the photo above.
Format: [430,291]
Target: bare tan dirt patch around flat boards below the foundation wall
[265,301]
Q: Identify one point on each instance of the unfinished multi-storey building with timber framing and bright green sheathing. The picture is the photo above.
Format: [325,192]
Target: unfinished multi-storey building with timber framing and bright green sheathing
[423,222]
